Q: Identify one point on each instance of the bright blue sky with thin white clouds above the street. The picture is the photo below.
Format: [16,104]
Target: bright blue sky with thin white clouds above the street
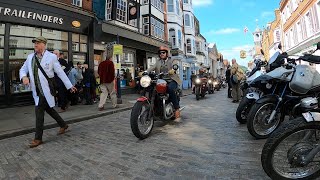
[223,22]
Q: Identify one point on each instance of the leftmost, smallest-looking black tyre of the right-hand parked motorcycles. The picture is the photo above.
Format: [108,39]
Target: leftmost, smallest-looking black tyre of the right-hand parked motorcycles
[244,107]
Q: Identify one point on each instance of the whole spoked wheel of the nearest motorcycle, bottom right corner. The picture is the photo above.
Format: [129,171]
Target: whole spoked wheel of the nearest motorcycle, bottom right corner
[287,146]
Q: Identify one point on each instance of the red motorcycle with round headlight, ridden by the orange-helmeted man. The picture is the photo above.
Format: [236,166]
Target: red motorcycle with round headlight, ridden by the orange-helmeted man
[154,105]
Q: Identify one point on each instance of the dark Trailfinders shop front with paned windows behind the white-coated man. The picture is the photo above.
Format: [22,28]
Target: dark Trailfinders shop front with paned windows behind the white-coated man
[20,22]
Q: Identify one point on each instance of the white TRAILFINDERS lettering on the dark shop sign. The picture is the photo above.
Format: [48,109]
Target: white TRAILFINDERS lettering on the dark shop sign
[30,15]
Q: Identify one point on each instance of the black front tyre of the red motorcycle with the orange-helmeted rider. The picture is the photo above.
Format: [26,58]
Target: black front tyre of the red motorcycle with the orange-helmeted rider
[134,120]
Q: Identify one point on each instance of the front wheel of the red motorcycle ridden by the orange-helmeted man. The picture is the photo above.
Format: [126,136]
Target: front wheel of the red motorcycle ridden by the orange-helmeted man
[141,126]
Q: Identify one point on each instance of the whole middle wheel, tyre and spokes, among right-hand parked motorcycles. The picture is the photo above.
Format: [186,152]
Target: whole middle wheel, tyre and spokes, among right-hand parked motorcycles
[257,120]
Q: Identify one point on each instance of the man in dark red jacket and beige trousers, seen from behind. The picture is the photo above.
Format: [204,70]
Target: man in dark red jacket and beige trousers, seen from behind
[106,73]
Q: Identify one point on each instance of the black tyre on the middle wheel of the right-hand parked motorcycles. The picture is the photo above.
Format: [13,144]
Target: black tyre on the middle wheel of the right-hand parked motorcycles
[251,119]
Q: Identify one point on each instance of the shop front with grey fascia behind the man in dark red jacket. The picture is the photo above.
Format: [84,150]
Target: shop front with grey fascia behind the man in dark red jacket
[139,51]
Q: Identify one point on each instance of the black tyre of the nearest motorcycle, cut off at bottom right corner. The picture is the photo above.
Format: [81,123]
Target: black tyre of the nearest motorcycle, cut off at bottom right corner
[283,132]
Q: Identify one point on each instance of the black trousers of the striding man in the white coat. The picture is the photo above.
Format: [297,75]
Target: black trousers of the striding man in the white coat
[40,109]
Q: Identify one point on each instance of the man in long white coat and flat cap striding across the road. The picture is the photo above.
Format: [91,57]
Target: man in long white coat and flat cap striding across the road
[44,100]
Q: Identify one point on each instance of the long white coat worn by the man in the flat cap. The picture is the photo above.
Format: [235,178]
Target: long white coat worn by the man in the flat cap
[50,65]
